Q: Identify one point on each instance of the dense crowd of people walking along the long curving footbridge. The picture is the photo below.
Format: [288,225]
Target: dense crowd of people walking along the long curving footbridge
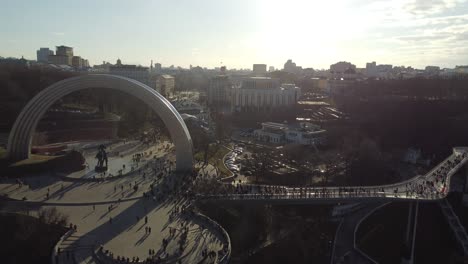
[433,185]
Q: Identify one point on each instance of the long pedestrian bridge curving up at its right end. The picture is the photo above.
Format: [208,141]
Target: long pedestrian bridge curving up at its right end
[432,186]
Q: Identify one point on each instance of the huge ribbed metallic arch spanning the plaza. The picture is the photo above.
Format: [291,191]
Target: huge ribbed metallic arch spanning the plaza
[20,138]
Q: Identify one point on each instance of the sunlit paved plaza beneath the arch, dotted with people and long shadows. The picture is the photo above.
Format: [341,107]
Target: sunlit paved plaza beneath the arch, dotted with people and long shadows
[121,214]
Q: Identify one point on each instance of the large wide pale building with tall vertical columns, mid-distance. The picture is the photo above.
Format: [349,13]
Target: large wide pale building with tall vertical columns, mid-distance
[262,94]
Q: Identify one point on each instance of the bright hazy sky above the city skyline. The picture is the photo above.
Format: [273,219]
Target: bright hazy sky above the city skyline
[239,33]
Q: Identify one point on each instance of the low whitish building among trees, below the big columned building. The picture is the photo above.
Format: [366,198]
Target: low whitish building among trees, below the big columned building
[303,133]
